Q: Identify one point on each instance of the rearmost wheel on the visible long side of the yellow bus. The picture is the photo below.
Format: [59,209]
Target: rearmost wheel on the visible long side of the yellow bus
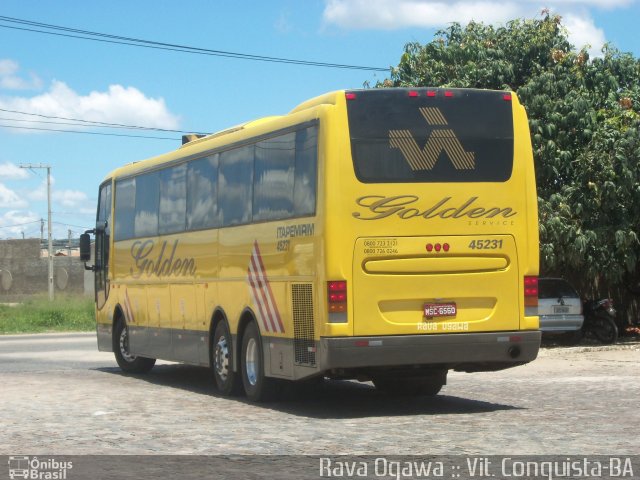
[257,387]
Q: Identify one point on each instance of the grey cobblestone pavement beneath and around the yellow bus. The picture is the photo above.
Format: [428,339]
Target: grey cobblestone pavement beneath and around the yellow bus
[60,396]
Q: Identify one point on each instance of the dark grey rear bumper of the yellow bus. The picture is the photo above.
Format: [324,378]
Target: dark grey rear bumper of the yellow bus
[460,351]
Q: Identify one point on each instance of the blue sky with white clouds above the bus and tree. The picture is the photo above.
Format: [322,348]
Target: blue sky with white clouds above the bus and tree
[65,77]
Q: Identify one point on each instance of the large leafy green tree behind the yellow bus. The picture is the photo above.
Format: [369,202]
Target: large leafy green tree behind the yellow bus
[585,127]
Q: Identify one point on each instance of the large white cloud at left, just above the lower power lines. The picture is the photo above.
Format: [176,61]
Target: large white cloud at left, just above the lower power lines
[126,105]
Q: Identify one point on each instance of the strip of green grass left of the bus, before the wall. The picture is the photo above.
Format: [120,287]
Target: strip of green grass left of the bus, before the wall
[39,315]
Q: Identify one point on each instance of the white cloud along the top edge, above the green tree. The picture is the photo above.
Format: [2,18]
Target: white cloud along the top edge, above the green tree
[396,14]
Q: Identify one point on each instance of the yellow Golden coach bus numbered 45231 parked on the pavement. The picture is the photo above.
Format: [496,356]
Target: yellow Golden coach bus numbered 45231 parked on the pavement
[384,235]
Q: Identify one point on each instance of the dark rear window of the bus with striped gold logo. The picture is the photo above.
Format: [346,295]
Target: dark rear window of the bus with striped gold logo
[430,135]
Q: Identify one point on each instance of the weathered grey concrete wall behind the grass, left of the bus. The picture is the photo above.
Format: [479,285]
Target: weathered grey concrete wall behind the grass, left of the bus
[23,271]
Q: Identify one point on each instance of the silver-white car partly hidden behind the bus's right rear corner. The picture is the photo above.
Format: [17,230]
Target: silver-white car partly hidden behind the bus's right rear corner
[559,307]
